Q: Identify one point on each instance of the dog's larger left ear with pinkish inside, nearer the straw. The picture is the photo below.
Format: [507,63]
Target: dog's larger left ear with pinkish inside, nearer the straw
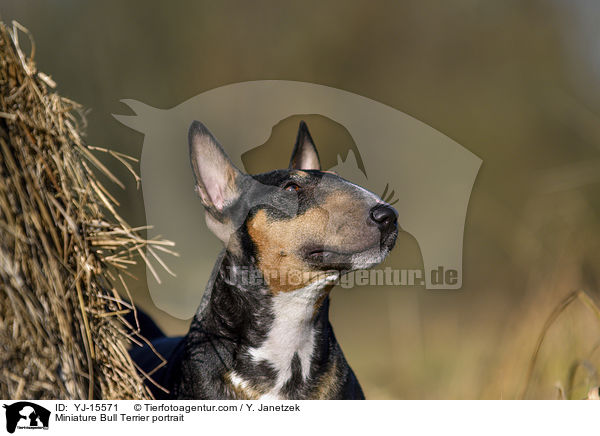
[217,178]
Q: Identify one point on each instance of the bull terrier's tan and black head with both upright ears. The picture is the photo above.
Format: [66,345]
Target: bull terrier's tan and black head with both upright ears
[299,225]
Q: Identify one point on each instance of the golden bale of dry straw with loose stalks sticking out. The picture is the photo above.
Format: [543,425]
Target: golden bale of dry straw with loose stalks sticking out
[63,248]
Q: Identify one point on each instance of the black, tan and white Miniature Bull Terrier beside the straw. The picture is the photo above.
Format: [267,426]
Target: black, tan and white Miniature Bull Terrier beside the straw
[262,329]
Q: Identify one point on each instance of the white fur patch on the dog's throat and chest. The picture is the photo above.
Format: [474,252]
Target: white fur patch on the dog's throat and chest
[291,333]
